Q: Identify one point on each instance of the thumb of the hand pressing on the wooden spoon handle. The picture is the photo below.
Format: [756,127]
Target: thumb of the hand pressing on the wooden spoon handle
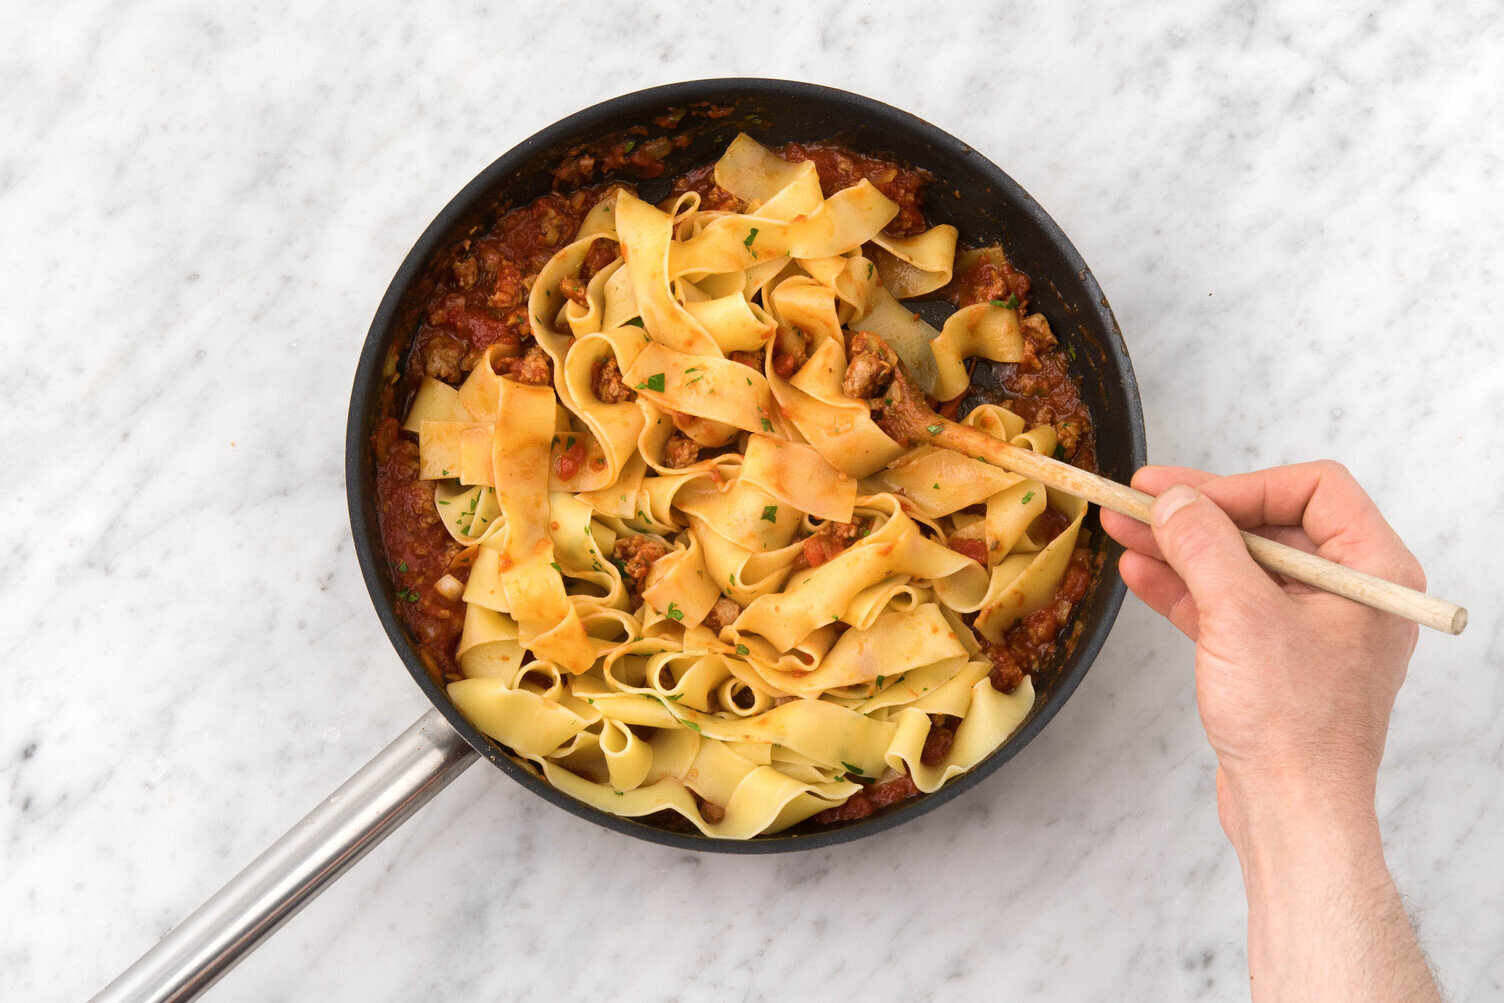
[1205,550]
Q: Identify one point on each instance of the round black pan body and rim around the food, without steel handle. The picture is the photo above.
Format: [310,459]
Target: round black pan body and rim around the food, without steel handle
[966,192]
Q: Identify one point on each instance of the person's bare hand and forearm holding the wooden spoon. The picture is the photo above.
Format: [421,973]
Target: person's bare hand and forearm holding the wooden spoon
[1296,689]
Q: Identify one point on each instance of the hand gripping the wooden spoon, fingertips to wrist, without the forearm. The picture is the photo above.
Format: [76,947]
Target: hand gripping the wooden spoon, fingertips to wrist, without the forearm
[1294,685]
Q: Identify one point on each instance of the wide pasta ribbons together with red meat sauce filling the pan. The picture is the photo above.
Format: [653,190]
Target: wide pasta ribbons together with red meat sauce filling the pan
[644,524]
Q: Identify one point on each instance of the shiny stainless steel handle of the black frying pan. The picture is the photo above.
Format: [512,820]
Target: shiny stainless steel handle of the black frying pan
[296,868]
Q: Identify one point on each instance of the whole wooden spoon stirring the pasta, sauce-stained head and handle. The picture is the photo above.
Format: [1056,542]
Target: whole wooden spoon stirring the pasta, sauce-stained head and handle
[905,416]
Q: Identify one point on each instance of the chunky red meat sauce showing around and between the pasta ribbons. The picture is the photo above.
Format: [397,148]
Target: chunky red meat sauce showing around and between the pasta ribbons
[481,302]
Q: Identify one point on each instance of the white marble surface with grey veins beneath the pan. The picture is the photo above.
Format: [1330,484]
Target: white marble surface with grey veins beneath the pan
[1296,214]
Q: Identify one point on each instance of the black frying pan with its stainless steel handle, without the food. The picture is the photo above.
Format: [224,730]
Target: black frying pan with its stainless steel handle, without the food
[966,190]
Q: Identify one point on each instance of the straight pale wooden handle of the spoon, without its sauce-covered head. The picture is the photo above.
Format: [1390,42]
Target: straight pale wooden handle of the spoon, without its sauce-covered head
[1288,562]
